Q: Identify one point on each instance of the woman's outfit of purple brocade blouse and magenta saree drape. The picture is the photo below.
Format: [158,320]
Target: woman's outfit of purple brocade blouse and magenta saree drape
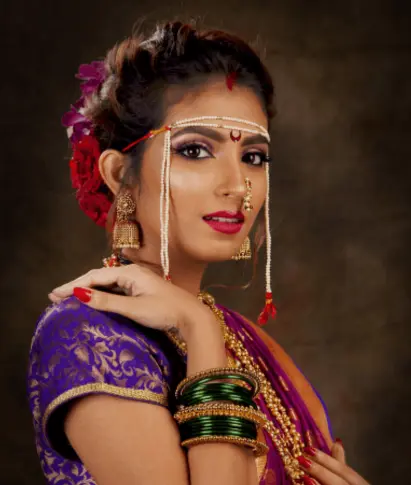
[77,351]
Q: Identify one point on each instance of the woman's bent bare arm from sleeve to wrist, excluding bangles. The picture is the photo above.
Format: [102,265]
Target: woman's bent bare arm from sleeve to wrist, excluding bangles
[135,443]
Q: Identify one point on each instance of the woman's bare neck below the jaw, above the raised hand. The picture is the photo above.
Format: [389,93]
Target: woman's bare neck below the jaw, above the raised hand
[185,274]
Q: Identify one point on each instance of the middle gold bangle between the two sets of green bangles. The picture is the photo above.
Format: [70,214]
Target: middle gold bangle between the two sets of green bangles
[220,409]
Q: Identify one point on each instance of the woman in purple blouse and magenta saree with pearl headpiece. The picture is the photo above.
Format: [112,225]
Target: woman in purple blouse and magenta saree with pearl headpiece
[129,366]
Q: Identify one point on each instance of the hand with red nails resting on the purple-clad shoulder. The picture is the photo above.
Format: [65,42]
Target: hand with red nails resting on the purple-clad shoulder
[148,299]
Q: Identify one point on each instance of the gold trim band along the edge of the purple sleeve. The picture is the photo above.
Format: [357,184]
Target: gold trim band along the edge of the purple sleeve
[97,387]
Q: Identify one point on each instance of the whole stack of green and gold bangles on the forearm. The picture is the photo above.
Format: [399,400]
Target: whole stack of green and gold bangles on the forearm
[217,406]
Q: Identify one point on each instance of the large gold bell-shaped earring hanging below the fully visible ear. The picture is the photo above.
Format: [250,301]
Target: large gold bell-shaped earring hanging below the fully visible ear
[125,232]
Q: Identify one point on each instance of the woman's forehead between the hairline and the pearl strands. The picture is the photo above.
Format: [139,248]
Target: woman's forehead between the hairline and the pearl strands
[215,99]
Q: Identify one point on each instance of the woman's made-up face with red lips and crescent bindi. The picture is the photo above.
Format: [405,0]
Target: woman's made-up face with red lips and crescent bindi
[208,171]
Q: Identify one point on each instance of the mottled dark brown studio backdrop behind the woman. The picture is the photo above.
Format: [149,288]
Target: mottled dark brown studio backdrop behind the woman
[340,201]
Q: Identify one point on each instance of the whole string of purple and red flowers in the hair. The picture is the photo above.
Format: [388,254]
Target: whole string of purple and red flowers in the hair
[92,194]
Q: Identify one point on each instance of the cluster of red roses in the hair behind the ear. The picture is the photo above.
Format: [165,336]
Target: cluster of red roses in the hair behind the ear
[86,178]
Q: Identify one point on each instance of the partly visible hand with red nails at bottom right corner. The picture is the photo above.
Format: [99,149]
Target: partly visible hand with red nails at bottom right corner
[329,470]
